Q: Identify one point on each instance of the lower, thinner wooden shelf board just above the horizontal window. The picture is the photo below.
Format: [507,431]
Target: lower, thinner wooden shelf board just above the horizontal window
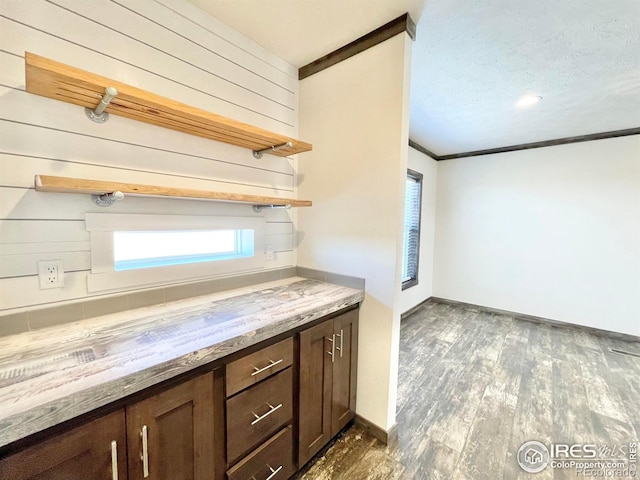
[48,183]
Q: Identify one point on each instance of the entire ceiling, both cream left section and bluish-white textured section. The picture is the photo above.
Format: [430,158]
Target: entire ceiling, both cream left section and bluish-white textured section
[473,58]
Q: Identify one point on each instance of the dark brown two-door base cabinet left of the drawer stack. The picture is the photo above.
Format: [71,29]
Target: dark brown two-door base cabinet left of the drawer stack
[173,434]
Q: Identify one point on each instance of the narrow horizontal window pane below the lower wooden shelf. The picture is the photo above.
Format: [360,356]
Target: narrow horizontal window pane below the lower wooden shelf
[134,250]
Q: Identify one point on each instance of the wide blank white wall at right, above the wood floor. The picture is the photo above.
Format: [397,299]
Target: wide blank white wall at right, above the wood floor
[552,232]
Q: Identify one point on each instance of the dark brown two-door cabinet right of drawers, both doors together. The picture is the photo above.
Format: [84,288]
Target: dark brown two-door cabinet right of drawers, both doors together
[328,366]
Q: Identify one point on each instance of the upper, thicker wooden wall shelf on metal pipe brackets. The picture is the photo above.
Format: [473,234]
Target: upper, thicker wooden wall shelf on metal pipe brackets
[69,84]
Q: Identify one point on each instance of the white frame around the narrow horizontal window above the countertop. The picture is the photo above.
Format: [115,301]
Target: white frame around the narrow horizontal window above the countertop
[103,276]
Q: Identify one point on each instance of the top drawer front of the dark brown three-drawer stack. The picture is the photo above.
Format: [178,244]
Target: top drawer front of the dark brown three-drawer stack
[253,368]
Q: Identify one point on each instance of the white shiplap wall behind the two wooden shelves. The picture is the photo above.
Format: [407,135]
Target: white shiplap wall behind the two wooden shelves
[167,47]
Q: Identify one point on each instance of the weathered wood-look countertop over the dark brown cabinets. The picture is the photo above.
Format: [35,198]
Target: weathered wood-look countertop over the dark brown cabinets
[54,374]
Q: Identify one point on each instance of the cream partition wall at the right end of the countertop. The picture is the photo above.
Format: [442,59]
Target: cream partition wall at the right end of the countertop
[356,115]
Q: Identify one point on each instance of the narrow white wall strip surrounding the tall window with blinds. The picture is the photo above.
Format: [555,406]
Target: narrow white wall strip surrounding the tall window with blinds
[428,167]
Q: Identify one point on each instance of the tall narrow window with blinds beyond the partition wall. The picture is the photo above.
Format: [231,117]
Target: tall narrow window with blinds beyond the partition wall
[412,208]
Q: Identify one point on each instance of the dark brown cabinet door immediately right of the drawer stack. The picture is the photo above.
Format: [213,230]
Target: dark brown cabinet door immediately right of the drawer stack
[316,346]
